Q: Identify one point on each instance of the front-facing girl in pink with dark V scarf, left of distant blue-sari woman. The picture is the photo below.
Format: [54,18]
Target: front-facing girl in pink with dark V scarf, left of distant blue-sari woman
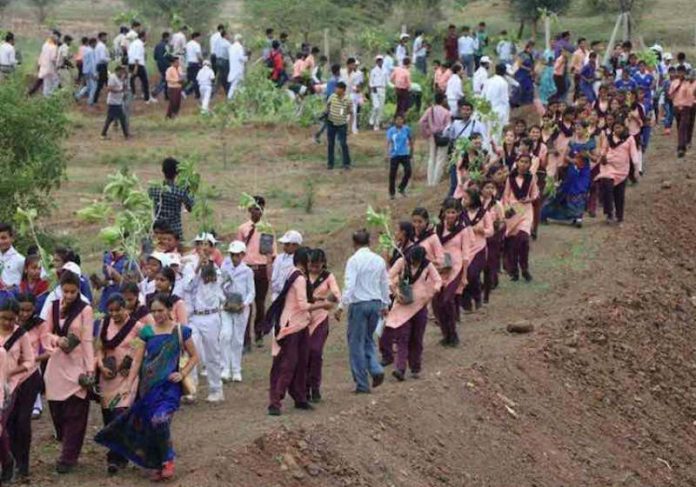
[520,192]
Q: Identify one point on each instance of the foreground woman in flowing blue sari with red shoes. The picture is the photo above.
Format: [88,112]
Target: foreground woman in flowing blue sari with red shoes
[142,434]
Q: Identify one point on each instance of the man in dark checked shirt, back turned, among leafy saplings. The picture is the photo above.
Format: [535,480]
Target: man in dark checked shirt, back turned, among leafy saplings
[168,198]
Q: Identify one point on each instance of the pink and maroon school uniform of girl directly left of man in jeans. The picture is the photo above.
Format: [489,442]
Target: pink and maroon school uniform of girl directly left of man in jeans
[319,290]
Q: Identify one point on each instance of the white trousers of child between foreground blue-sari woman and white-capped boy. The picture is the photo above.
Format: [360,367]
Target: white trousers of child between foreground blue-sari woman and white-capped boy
[206,337]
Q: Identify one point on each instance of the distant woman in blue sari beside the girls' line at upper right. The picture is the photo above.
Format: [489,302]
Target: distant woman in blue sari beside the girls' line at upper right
[571,196]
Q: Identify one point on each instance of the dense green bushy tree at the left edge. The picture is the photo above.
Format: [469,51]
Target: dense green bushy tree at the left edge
[32,157]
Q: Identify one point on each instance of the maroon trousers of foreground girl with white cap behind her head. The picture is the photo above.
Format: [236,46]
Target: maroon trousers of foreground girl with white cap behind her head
[70,422]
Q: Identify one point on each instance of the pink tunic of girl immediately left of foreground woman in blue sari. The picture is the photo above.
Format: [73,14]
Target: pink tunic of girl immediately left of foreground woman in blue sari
[110,387]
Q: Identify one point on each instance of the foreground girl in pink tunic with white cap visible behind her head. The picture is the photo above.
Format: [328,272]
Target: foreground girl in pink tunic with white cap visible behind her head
[70,368]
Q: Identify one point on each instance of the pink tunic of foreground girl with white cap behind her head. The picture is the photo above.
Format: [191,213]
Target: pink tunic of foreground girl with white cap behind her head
[63,369]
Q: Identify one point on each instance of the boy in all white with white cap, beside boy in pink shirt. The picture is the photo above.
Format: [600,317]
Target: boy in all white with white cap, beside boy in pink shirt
[238,286]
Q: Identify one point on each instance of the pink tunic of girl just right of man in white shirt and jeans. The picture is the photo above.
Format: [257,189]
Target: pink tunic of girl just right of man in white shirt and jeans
[424,289]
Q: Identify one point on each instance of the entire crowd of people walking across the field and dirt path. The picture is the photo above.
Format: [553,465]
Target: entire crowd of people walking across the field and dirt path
[176,315]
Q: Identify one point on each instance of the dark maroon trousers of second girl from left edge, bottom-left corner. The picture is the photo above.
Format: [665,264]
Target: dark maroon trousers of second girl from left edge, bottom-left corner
[19,423]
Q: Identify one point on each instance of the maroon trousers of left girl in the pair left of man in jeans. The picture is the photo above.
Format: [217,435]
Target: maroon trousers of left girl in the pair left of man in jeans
[289,370]
